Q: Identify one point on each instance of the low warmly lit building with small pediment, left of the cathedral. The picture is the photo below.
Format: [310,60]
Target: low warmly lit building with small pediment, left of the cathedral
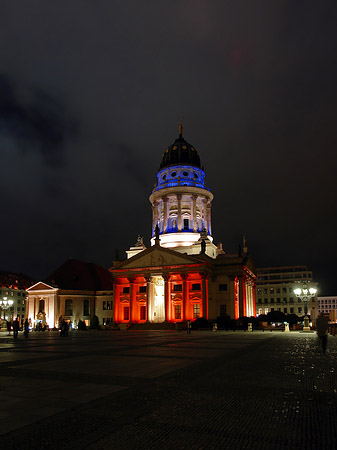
[75,291]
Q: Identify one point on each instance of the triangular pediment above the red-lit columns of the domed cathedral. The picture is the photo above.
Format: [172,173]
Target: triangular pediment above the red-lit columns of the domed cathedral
[157,257]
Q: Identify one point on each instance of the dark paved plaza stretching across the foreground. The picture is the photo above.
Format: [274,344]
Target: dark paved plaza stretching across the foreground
[165,390]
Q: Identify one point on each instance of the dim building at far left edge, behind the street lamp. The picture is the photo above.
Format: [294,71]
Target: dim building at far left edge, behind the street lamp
[13,287]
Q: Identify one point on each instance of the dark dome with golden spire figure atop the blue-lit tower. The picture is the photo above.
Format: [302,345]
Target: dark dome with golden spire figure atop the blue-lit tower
[180,152]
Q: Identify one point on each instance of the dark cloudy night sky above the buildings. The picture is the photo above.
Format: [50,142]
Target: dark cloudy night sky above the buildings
[91,94]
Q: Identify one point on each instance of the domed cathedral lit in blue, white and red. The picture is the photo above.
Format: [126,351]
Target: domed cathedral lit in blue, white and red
[183,275]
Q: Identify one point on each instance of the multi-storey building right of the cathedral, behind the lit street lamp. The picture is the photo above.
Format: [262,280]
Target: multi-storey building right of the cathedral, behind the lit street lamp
[275,290]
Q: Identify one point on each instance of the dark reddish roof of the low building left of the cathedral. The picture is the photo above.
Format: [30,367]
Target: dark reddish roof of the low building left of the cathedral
[79,275]
